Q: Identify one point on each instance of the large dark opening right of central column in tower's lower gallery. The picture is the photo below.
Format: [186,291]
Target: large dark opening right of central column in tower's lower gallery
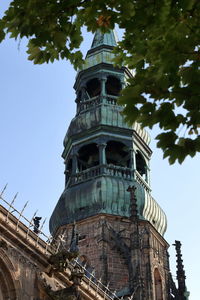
[117,154]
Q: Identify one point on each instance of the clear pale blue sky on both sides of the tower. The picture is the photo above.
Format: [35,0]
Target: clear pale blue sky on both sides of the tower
[36,106]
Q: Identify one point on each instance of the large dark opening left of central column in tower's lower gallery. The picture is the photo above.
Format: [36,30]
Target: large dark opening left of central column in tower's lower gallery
[88,156]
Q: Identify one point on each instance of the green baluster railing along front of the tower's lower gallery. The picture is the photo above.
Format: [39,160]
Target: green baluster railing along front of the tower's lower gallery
[110,170]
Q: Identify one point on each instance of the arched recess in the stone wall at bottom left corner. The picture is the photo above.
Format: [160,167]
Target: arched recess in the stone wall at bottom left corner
[7,287]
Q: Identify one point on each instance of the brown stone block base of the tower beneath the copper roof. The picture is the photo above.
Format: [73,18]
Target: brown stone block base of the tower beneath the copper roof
[119,250]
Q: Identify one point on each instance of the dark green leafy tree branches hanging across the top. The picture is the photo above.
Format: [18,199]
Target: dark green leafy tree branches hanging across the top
[161,42]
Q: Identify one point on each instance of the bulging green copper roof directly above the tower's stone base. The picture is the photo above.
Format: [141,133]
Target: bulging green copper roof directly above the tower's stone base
[105,195]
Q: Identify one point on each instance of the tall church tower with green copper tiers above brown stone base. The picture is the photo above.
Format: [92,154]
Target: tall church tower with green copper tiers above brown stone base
[107,185]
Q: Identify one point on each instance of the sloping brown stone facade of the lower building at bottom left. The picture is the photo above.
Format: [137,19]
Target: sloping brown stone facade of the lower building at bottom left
[26,270]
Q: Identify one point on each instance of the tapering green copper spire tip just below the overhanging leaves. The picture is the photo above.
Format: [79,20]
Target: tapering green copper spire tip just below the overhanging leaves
[104,39]
